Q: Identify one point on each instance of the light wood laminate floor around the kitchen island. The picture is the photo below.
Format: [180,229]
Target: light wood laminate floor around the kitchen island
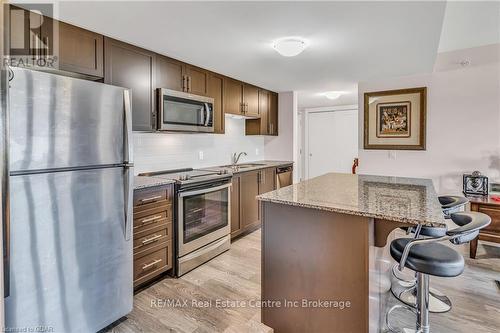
[235,276]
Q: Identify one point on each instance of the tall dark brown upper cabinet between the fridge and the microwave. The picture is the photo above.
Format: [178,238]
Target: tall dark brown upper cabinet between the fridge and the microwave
[132,67]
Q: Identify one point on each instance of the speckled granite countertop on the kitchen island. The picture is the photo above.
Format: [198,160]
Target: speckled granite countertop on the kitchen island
[406,200]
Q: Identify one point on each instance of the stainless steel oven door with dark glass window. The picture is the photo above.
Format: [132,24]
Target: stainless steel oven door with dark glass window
[203,217]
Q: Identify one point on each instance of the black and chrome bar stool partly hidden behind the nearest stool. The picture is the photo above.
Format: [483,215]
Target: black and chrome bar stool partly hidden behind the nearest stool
[405,290]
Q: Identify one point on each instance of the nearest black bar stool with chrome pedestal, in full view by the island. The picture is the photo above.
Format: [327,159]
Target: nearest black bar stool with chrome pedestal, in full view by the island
[427,257]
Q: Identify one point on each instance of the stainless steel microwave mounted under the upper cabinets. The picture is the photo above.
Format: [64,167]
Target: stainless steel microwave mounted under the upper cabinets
[184,112]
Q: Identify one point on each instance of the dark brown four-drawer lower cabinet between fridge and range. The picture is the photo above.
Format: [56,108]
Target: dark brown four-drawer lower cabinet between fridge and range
[153,241]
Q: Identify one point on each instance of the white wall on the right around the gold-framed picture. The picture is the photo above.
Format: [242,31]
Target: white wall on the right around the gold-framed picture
[463,127]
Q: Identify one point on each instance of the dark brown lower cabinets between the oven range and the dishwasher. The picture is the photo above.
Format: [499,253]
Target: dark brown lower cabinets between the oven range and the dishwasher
[245,208]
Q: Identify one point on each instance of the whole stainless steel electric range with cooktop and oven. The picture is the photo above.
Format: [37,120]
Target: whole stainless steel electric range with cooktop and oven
[202,215]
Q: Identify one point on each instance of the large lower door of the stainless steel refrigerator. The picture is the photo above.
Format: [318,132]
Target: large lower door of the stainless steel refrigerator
[71,265]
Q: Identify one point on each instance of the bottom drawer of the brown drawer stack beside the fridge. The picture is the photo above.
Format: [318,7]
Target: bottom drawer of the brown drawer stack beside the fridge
[151,265]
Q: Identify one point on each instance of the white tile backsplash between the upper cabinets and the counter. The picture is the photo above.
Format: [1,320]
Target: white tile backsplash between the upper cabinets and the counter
[164,151]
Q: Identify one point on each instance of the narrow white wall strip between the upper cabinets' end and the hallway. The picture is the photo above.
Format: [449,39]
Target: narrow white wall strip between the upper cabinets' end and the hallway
[285,146]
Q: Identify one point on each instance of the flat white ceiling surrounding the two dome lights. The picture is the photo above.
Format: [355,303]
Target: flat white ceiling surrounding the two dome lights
[348,41]
